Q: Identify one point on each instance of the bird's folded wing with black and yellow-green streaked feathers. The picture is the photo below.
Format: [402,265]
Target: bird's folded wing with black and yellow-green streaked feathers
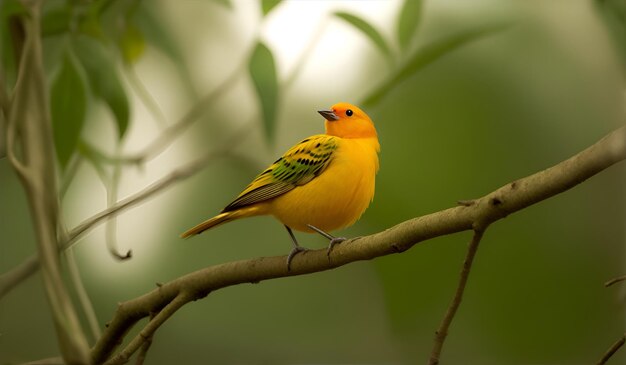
[299,165]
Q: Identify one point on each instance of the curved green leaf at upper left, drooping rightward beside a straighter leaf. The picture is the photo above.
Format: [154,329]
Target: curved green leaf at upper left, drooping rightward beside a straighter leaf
[104,80]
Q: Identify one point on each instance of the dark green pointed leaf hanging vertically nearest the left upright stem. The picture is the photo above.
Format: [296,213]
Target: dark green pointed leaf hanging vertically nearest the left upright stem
[68,101]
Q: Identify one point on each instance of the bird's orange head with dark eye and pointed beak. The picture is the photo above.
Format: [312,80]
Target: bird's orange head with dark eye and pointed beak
[348,121]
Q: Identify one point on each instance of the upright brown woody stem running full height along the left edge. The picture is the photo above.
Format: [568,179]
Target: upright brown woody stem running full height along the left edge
[29,112]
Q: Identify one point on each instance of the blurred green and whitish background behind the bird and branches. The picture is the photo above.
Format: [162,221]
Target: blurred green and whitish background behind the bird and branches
[500,107]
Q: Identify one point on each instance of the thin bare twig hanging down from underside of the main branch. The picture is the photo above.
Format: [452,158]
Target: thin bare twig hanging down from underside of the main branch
[442,332]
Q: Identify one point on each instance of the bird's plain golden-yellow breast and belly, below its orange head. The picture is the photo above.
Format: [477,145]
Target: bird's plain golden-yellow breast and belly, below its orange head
[338,196]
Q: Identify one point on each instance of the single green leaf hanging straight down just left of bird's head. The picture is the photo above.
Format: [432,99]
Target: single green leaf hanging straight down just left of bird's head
[263,72]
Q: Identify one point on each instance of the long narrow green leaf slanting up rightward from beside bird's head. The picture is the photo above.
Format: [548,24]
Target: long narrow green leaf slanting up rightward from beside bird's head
[428,54]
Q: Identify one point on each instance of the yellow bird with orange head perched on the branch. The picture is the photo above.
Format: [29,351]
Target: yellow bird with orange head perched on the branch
[323,183]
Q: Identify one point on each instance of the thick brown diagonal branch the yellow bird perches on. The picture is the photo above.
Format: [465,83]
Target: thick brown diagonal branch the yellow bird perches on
[496,205]
